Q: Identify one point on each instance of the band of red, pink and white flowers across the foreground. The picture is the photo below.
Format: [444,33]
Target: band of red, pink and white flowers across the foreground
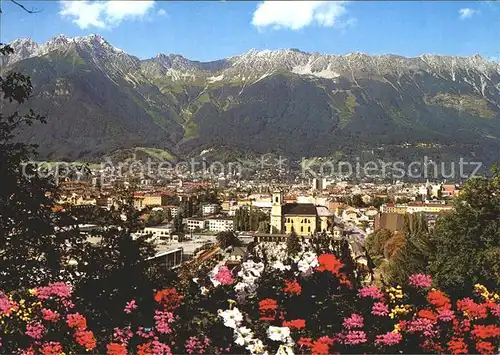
[308,304]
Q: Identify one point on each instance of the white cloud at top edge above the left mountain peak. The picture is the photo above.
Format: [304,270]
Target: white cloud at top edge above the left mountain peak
[104,14]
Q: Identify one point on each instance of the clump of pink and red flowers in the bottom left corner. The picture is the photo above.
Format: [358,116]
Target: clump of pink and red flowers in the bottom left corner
[42,321]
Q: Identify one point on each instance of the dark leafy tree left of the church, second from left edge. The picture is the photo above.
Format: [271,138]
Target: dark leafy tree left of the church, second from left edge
[112,270]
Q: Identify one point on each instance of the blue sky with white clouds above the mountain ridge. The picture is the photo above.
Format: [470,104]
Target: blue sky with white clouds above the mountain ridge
[211,30]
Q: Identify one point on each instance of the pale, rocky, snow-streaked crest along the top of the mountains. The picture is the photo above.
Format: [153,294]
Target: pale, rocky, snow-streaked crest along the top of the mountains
[257,64]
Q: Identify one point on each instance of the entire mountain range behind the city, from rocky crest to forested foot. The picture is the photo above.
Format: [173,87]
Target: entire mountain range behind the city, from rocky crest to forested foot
[254,102]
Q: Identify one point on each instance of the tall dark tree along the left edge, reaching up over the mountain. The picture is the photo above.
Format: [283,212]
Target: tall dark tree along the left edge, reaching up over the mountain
[32,249]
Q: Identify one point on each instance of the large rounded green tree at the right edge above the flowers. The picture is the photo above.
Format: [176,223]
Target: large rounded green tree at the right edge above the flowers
[467,241]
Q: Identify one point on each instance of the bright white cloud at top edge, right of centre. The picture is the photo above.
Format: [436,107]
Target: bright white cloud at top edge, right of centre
[298,14]
